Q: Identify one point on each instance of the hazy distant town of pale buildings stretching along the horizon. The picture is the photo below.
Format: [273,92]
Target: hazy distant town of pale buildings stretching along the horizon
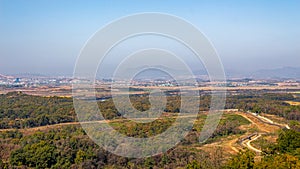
[62,86]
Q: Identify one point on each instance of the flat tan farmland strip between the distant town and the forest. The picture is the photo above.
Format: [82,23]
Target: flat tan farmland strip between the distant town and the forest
[103,91]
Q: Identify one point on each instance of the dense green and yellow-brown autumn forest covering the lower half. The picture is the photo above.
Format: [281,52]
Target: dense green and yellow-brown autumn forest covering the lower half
[70,147]
